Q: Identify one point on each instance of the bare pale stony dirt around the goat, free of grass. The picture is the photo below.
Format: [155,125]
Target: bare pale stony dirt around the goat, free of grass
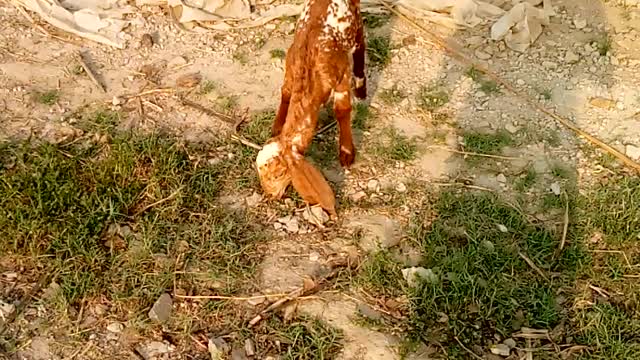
[586,72]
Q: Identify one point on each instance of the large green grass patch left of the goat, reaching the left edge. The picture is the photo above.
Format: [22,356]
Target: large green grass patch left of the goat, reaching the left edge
[58,205]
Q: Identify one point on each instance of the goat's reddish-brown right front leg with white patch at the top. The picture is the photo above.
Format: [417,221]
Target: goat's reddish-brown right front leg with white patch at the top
[342,109]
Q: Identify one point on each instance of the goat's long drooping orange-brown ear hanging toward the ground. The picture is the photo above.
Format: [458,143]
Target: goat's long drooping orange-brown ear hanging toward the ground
[312,186]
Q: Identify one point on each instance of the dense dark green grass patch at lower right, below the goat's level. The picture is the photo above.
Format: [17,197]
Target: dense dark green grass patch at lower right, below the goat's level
[484,286]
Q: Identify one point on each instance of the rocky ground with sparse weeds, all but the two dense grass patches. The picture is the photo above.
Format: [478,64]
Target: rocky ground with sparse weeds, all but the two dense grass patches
[426,119]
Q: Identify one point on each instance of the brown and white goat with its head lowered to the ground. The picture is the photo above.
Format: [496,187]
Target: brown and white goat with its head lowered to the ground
[327,54]
